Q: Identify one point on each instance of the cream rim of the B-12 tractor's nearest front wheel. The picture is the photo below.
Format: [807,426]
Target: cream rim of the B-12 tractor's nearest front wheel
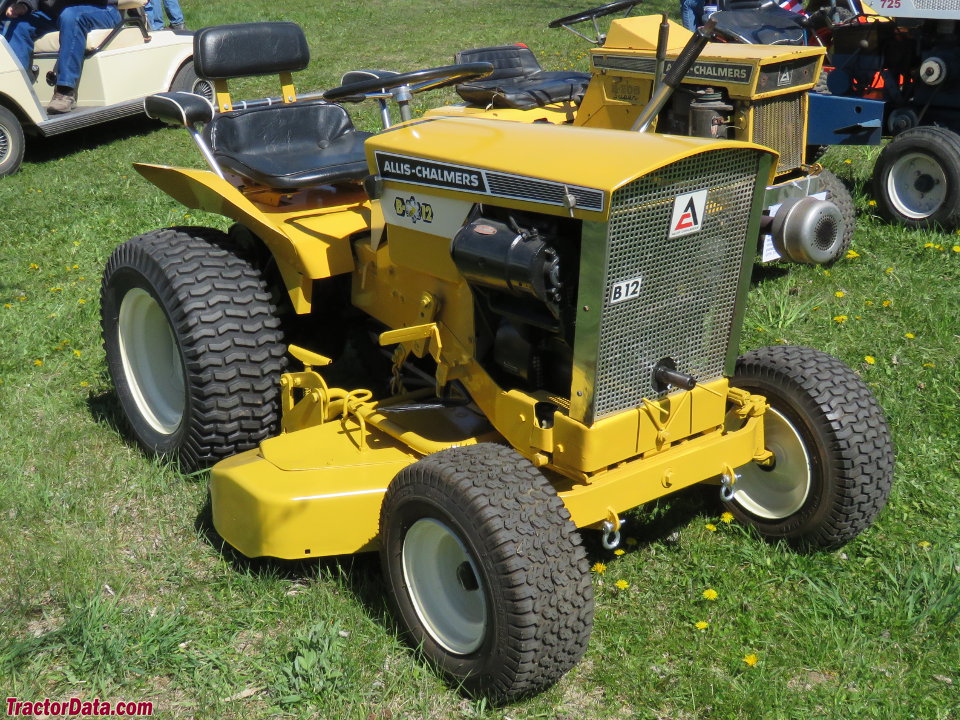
[435,565]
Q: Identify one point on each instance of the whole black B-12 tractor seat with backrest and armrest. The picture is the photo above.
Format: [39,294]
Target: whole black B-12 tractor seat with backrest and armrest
[282,143]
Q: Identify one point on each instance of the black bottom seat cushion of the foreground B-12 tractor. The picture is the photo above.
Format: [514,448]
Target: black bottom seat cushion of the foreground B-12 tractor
[290,146]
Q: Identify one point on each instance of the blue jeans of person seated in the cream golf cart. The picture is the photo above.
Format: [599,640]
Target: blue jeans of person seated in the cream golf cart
[73,25]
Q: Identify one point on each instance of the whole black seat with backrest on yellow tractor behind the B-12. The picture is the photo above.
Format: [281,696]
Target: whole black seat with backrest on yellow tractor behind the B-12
[518,81]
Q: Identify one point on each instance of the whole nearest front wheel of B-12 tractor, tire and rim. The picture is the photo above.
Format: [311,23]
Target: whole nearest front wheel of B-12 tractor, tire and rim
[486,570]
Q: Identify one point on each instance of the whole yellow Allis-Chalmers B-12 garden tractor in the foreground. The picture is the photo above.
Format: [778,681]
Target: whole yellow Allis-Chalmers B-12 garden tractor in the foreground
[563,347]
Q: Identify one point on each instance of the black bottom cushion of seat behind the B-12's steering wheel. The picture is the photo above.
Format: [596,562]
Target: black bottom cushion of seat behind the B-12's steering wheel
[527,92]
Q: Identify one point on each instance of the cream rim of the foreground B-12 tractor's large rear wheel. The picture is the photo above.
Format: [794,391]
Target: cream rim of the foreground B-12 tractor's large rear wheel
[151,361]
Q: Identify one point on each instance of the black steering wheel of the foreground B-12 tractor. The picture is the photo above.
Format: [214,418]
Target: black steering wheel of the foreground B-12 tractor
[401,87]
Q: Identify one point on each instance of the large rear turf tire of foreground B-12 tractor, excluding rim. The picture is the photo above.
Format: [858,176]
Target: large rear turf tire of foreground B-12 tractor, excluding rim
[229,338]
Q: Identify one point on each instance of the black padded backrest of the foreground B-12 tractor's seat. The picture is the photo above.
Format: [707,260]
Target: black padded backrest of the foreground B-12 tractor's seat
[222,52]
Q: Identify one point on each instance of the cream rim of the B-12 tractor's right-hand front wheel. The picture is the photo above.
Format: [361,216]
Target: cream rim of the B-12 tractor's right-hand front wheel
[780,491]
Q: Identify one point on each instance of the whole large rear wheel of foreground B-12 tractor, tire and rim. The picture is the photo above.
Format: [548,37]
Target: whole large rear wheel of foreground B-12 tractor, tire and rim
[193,345]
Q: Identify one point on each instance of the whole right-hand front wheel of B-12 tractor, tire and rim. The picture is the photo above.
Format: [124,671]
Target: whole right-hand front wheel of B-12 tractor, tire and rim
[833,458]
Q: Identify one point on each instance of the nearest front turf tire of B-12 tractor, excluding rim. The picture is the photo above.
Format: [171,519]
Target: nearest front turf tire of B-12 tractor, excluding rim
[530,555]
